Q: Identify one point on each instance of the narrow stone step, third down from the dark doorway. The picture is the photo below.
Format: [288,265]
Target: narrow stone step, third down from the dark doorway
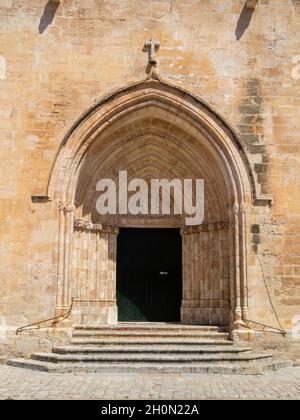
[149,342]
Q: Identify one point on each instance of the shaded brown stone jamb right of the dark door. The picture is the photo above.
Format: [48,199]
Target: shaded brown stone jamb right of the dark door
[205,282]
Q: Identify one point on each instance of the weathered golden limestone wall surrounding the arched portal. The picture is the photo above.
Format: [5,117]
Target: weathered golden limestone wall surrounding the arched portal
[58,58]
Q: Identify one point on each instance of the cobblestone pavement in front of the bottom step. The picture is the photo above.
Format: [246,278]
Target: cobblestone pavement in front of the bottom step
[25,384]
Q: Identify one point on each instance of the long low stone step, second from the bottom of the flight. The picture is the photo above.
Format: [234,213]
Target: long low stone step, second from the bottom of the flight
[149,358]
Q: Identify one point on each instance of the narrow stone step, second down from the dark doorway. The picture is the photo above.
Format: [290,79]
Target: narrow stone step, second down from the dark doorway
[148,334]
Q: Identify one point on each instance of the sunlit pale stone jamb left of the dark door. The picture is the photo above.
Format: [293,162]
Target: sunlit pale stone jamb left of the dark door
[94,273]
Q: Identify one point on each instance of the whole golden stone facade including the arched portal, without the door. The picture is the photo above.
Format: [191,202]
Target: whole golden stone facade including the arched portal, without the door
[225,104]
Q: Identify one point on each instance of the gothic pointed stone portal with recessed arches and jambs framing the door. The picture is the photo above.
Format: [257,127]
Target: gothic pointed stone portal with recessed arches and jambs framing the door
[153,130]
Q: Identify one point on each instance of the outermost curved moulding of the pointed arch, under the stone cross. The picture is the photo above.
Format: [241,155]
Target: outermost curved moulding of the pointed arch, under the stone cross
[100,116]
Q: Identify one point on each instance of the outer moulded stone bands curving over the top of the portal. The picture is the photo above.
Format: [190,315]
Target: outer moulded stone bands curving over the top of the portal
[104,114]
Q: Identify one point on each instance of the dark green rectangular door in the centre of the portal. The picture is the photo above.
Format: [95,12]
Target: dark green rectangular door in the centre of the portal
[149,275]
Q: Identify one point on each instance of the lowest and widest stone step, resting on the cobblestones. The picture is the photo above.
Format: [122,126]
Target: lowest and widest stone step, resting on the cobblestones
[250,369]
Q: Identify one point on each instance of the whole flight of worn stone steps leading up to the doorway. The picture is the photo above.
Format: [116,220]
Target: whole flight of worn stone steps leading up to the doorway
[145,347]
